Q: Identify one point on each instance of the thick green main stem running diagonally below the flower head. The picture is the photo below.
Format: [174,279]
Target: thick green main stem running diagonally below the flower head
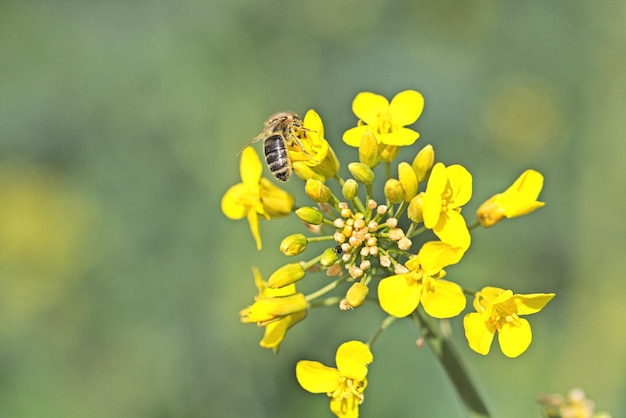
[444,350]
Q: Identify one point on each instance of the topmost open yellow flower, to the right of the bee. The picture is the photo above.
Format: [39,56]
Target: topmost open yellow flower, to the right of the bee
[386,120]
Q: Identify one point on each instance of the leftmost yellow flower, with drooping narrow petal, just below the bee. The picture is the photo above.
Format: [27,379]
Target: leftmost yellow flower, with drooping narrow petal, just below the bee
[255,196]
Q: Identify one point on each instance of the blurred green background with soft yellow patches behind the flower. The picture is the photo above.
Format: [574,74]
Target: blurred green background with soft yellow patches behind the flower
[120,279]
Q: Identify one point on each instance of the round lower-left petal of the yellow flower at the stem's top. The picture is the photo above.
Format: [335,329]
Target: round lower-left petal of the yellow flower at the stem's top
[397,297]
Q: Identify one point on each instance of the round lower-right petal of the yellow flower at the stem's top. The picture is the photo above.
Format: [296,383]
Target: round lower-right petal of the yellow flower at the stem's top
[444,299]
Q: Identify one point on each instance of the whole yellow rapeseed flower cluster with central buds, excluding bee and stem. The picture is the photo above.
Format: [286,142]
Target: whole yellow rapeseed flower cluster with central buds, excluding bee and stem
[396,241]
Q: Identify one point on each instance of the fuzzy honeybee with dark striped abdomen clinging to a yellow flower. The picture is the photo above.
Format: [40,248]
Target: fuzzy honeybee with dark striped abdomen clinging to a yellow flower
[279,133]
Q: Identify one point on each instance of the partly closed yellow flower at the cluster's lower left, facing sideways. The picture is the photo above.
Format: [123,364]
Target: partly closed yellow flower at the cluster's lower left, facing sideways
[276,309]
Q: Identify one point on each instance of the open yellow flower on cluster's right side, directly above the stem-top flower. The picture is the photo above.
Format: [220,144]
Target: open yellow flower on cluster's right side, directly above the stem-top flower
[447,190]
